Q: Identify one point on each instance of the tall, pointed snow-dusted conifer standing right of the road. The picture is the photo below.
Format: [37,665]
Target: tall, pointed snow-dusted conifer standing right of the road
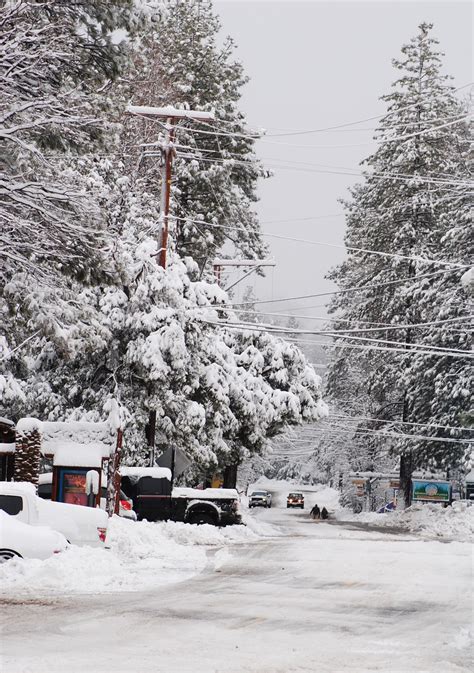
[401,209]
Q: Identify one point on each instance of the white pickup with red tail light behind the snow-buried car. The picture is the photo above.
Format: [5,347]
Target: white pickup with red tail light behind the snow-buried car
[79,525]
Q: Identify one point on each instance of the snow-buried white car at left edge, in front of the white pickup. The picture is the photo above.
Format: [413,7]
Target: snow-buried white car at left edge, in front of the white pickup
[20,540]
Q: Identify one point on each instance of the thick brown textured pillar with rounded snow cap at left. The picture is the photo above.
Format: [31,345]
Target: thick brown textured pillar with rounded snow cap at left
[28,450]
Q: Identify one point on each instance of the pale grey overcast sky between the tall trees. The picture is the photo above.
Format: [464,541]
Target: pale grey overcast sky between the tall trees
[316,64]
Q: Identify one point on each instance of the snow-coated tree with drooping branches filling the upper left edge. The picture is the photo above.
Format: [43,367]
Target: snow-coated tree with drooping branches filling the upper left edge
[54,56]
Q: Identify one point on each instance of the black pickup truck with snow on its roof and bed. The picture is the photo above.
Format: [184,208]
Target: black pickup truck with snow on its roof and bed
[155,500]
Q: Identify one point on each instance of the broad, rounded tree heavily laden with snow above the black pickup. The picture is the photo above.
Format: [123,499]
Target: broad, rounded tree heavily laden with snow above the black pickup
[218,395]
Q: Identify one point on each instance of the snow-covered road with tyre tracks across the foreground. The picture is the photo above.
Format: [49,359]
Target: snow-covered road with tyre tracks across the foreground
[322,598]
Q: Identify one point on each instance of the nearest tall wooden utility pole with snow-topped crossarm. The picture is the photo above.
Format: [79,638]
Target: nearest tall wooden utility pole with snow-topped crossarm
[170,115]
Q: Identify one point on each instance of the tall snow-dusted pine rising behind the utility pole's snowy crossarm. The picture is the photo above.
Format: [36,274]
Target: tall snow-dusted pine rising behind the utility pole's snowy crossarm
[181,62]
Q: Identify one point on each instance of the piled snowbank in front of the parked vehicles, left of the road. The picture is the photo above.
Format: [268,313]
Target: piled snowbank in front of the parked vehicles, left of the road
[141,555]
